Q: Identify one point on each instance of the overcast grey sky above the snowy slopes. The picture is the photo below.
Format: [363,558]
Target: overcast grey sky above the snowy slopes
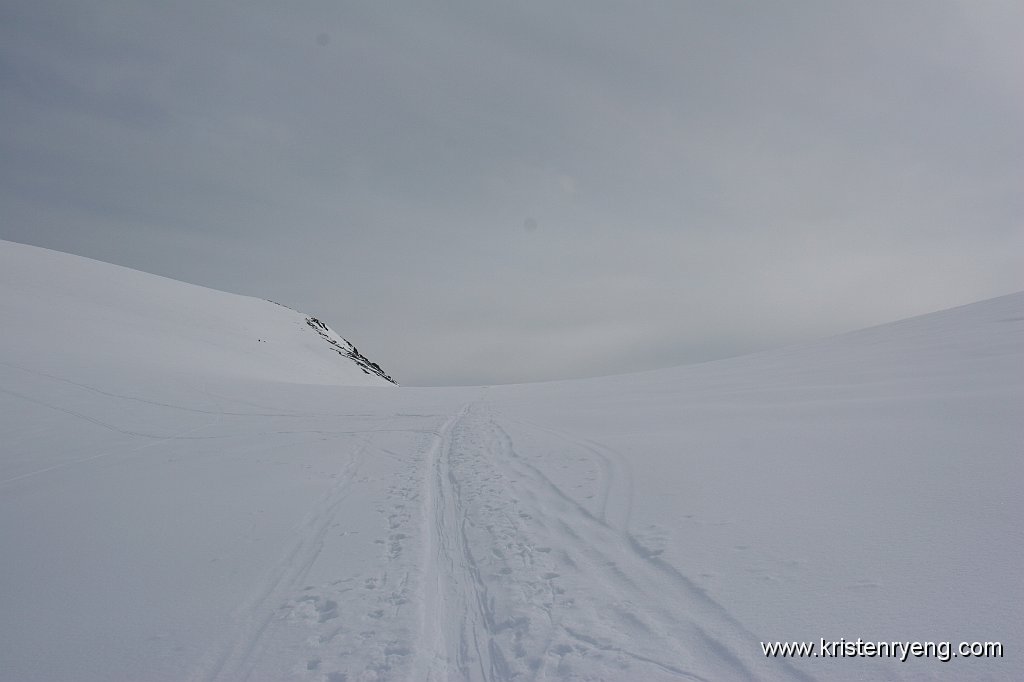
[476,193]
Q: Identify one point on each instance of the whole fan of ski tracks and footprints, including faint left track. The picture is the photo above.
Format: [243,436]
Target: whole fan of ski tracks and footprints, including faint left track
[489,572]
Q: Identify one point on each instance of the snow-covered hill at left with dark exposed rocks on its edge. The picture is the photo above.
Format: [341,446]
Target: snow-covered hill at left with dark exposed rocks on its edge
[64,310]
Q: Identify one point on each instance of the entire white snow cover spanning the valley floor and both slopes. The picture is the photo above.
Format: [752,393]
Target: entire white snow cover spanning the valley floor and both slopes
[181,501]
